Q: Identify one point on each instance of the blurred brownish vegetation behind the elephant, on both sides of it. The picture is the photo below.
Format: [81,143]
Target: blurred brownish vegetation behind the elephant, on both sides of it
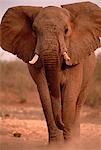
[15,79]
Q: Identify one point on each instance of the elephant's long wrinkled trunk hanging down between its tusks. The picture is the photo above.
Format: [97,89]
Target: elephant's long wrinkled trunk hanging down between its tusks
[51,63]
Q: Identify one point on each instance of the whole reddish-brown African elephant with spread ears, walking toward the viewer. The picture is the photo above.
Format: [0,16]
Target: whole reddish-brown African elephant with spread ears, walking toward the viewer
[58,45]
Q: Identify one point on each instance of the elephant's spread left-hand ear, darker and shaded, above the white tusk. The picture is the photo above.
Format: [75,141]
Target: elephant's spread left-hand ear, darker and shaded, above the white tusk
[17,36]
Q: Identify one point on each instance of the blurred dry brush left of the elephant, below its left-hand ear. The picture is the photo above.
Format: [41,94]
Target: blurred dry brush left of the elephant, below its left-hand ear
[14,76]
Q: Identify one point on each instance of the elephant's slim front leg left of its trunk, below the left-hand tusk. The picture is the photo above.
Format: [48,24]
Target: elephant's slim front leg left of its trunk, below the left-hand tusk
[40,80]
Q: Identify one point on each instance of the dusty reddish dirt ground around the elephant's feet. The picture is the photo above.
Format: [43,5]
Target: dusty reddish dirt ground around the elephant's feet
[22,126]
